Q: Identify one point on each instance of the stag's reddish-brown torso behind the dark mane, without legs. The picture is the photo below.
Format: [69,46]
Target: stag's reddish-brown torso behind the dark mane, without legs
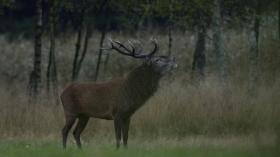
[91,99]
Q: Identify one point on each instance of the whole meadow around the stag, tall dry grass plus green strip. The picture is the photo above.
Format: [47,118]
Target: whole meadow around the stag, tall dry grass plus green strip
[181,119]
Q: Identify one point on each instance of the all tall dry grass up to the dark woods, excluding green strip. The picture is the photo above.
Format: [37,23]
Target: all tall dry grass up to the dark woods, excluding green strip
[179,108]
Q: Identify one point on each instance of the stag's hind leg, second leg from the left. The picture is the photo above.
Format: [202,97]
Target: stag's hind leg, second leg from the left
[79,129]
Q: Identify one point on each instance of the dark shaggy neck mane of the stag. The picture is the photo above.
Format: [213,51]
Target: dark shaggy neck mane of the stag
[140,85]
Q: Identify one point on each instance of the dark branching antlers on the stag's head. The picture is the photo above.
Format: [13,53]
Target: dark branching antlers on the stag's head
[122,49]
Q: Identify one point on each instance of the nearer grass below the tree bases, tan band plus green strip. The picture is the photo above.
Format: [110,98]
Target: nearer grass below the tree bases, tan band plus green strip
[175,122]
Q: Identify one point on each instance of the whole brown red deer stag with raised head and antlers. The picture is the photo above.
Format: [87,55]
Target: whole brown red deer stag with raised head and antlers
[117,99]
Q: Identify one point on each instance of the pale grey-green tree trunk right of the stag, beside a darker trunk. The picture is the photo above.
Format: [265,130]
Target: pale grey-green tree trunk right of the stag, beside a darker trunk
[218,41]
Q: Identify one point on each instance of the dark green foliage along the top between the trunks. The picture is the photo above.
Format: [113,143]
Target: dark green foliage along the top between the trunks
[137,14]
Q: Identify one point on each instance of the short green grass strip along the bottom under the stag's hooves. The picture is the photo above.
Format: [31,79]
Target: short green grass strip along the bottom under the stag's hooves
[51,149]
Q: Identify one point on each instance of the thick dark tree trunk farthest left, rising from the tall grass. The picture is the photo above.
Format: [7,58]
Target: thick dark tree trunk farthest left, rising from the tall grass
[35,76]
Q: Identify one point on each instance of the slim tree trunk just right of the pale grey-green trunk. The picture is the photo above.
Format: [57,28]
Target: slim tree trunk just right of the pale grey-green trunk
[254,50]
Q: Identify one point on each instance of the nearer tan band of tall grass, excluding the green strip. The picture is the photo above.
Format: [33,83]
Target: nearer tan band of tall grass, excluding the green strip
[176,110]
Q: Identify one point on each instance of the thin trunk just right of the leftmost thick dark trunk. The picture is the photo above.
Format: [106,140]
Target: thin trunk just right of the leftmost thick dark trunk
[52,70]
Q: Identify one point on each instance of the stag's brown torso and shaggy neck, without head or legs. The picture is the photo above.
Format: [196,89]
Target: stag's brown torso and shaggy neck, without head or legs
[105,100]
